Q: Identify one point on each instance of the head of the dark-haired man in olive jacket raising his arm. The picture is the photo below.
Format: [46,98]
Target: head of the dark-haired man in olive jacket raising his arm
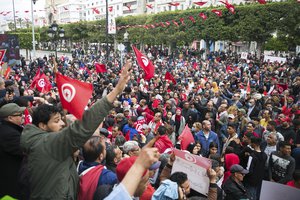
[47,118]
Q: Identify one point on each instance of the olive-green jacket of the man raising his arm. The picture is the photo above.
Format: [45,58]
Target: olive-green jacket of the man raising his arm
[51,167]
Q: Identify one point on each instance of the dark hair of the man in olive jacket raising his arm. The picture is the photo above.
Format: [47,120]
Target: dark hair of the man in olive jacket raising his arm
[43,113]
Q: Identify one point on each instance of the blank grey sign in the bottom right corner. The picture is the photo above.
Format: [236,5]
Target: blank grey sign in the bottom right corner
[276,191]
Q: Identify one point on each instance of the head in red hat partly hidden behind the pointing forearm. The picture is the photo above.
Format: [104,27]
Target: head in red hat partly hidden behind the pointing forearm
[124,166]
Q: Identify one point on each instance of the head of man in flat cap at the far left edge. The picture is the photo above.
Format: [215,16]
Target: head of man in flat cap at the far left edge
[12,113]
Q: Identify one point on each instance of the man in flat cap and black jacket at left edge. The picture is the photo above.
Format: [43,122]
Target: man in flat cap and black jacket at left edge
[11,116]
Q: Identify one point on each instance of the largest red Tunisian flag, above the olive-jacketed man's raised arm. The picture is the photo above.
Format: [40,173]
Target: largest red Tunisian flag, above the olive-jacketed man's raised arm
[71,94]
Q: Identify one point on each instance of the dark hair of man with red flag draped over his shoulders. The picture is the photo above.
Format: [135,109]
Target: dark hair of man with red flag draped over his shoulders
[92,149]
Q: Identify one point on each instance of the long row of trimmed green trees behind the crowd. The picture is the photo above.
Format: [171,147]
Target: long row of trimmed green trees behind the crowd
[251,22]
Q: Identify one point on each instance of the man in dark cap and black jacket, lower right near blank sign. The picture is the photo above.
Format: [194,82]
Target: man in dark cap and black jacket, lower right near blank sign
[233,186]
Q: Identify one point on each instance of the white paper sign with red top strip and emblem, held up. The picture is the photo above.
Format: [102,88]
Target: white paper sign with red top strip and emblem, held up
[196,169]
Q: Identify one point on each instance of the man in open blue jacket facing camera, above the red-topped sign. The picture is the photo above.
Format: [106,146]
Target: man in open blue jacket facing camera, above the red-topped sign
[205,137]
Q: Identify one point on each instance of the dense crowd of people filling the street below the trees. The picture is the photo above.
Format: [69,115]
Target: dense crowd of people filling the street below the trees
[243,114]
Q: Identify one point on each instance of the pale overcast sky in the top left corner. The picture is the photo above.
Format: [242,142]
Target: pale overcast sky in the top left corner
[21,6]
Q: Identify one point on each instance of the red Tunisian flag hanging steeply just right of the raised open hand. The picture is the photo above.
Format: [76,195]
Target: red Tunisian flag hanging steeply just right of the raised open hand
[144,63]
